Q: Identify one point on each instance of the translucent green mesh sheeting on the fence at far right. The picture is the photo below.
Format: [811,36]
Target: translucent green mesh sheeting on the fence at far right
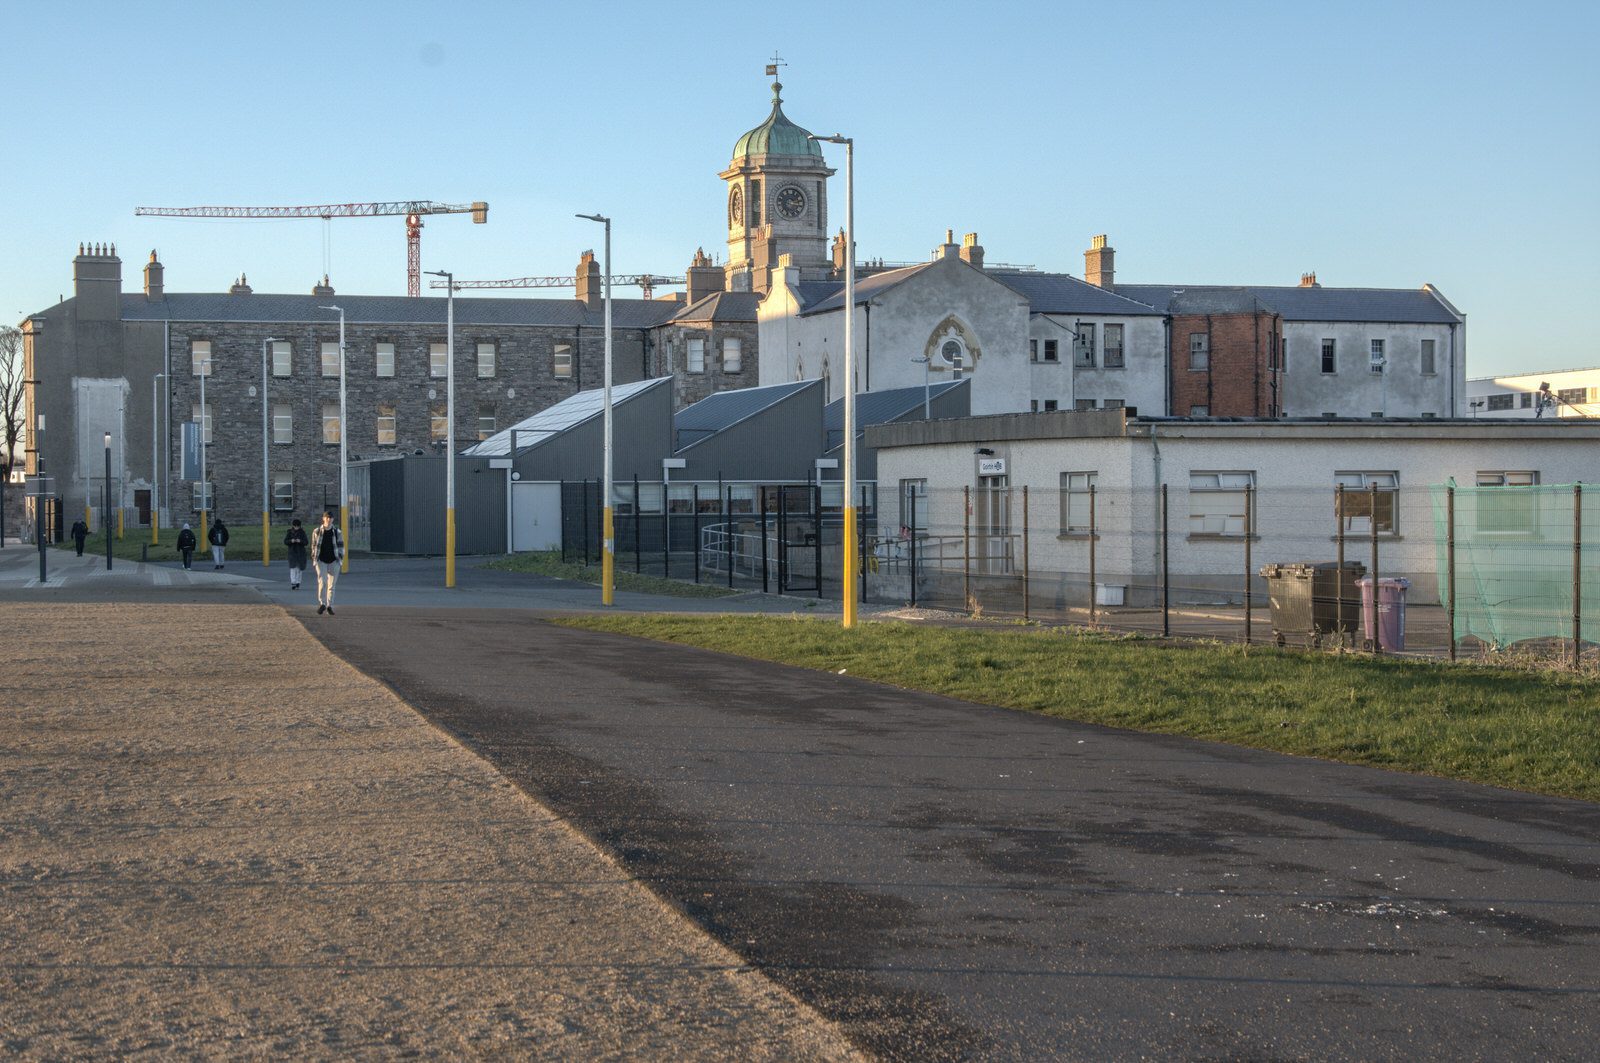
[1514,561]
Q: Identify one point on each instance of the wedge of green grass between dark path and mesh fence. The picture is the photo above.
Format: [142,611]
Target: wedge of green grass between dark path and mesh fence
[1521,729]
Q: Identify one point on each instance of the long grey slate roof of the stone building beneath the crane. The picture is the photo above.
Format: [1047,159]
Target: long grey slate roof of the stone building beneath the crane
[391,310]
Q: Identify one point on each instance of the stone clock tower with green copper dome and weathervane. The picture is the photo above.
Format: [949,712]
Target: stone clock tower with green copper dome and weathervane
[777,203]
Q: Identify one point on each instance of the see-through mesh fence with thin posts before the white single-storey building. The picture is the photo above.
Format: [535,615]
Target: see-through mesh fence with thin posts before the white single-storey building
[1457,569]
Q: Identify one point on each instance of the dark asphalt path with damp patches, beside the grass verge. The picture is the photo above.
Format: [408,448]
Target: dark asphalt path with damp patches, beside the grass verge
[956,881]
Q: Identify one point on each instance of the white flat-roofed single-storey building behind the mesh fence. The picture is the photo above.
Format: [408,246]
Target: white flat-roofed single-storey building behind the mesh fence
[956,486]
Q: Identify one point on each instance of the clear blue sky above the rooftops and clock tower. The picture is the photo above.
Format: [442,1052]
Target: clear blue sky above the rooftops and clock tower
[1377,145]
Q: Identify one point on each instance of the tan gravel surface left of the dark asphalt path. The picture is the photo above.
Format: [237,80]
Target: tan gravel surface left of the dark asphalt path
[218,840]
